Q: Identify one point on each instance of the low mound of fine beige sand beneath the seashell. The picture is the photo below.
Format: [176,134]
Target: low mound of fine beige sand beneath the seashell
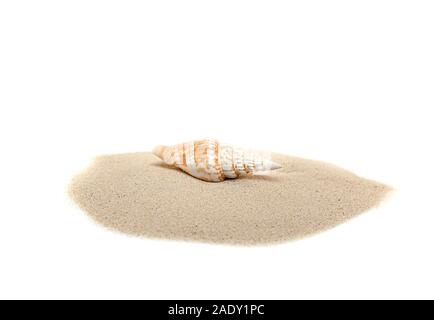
[137,194]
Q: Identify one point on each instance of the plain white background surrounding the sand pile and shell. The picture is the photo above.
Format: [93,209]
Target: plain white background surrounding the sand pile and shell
[348,82]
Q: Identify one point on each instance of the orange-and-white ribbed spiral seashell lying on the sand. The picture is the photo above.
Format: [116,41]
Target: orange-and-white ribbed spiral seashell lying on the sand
[211,161]
